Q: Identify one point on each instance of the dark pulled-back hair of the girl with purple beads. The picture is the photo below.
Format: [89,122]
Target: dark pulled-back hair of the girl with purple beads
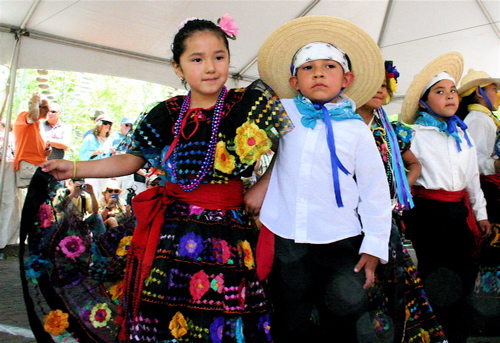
[191,27]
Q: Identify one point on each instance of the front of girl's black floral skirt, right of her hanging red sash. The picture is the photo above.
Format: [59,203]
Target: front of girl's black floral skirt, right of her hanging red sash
[202,286]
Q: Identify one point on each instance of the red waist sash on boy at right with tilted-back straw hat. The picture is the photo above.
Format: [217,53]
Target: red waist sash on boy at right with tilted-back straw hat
[457,196]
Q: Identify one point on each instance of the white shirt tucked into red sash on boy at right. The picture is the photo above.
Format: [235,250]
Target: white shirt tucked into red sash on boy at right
[444,167]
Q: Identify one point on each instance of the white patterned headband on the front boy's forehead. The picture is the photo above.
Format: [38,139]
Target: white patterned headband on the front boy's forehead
[319,51]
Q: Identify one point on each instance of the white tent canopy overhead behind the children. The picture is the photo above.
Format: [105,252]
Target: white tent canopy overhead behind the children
[132,38]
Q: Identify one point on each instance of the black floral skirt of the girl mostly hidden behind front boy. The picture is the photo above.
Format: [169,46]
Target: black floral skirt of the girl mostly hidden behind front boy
[398,304]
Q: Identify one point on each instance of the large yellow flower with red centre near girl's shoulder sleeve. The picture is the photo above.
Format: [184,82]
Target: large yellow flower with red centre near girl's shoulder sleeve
[251,142]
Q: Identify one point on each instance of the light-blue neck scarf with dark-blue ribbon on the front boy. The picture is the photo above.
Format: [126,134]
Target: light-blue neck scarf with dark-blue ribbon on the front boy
[341,111]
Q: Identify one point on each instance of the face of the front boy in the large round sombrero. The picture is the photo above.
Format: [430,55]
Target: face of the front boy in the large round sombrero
[321,80]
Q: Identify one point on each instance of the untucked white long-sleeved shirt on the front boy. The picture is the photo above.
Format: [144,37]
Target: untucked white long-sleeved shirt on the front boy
[300,201]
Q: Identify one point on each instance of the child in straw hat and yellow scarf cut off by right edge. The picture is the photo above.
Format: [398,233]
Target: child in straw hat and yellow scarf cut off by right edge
[479,99]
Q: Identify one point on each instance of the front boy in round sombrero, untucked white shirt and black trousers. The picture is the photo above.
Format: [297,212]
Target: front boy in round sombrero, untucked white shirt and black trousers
[327,202]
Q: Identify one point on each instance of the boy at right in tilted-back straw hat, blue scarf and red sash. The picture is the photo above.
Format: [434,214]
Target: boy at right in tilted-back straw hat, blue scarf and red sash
[444,225]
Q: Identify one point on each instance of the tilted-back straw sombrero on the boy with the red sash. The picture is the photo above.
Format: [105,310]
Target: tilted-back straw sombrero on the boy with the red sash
[451,62]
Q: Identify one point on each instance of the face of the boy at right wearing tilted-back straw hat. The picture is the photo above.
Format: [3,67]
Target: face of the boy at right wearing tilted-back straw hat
[443,98]
